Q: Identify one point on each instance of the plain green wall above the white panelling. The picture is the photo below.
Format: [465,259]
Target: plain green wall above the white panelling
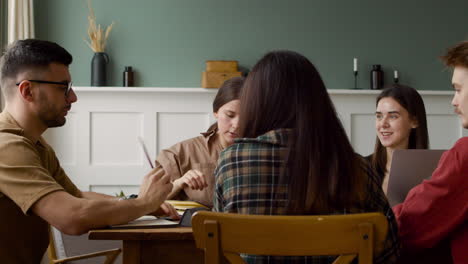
[168,41]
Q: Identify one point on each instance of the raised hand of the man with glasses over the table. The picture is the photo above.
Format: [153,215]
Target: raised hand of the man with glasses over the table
[154,189]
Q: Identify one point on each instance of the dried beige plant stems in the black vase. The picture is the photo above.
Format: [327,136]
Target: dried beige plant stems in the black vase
[97,37]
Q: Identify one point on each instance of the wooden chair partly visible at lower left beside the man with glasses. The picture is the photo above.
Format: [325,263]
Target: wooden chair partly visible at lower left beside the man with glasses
[57,252]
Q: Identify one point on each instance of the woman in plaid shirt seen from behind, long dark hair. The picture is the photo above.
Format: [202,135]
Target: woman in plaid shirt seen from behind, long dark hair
[294,157]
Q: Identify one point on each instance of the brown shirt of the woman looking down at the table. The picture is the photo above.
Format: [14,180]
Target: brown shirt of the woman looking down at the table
[200,153]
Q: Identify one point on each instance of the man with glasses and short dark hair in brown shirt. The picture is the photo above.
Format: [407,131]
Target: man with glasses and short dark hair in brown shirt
[34,189]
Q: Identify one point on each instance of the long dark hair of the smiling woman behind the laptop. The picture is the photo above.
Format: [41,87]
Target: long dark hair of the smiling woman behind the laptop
[412,102]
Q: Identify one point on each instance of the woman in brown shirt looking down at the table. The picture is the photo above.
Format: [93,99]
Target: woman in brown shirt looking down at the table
[191,163]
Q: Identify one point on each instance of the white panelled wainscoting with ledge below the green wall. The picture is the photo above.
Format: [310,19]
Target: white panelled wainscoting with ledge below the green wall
[98,146]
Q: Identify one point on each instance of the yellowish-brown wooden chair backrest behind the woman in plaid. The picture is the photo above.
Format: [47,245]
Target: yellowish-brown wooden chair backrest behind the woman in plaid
[349,236]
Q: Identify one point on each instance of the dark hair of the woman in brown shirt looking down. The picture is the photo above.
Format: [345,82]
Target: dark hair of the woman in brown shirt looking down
[229,91]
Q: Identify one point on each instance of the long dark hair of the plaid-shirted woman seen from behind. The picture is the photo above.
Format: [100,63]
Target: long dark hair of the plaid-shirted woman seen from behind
[284,90]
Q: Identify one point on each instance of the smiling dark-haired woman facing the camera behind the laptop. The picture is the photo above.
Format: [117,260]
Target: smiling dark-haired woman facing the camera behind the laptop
[400,123]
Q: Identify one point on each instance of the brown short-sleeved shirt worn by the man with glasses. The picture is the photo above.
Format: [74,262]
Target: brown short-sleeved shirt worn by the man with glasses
[28,171]
